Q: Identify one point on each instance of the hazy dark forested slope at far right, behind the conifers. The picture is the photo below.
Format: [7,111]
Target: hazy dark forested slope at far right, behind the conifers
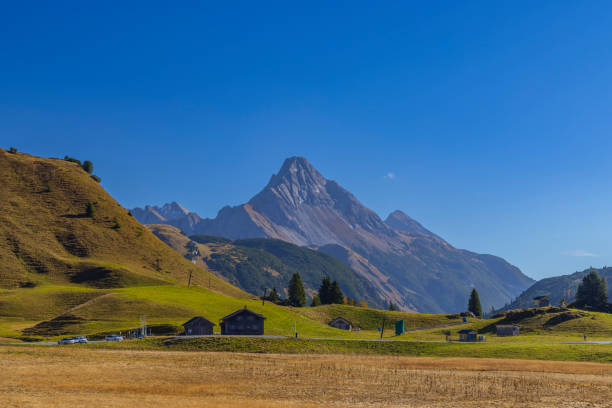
[557,288]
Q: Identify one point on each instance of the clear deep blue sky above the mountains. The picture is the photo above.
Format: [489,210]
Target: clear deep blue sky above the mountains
[494,117]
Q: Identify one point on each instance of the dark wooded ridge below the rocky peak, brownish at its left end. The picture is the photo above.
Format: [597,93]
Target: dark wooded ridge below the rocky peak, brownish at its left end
[256,265]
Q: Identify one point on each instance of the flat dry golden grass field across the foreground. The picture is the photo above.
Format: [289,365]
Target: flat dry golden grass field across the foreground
[79,377]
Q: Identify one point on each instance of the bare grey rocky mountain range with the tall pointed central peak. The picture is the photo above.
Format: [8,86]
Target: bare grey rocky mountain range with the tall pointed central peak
[407,264]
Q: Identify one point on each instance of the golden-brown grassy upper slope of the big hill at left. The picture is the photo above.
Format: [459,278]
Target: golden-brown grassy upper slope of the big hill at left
[48,238]
